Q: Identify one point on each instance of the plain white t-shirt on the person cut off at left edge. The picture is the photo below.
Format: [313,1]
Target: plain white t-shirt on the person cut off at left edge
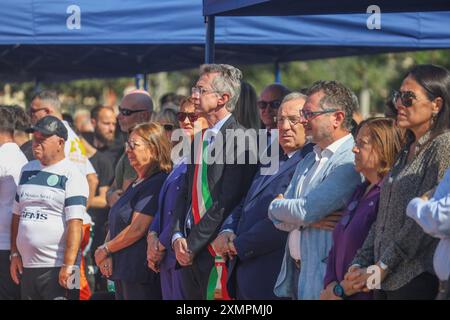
[12,160]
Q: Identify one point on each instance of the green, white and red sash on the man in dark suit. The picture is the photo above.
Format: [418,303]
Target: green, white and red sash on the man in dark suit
[201,202]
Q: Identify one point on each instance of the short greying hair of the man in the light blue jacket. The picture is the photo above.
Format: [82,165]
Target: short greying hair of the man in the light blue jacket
[338,96]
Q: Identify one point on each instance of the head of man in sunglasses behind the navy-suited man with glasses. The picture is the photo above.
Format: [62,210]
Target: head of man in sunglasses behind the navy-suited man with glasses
[268,103]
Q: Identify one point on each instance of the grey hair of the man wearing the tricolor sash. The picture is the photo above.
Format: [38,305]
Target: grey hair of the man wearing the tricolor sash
[228,81]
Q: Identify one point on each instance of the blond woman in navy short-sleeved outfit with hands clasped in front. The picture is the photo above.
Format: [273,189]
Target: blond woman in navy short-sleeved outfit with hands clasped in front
[123,256]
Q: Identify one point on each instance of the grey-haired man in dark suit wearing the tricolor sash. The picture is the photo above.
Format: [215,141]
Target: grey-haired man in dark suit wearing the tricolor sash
[212,190]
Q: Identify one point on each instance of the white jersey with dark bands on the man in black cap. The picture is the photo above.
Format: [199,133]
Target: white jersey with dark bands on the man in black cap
[48,197]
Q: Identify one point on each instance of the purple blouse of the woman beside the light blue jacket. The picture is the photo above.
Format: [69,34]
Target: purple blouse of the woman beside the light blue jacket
[350,233]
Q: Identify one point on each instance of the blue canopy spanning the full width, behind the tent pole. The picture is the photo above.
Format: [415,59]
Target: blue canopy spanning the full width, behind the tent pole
[50,40]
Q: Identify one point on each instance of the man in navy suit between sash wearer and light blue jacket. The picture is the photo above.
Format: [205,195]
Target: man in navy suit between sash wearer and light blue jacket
[248,237]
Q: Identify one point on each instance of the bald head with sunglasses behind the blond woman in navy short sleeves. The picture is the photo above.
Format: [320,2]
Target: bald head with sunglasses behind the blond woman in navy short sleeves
[136,107]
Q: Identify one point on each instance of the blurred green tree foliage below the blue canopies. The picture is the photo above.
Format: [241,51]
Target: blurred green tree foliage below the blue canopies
[378,74]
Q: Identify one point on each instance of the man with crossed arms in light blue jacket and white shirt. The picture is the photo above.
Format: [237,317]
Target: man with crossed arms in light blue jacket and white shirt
[321,185]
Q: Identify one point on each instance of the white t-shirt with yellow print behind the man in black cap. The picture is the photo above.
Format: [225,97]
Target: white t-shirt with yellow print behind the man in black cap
[75,151]
